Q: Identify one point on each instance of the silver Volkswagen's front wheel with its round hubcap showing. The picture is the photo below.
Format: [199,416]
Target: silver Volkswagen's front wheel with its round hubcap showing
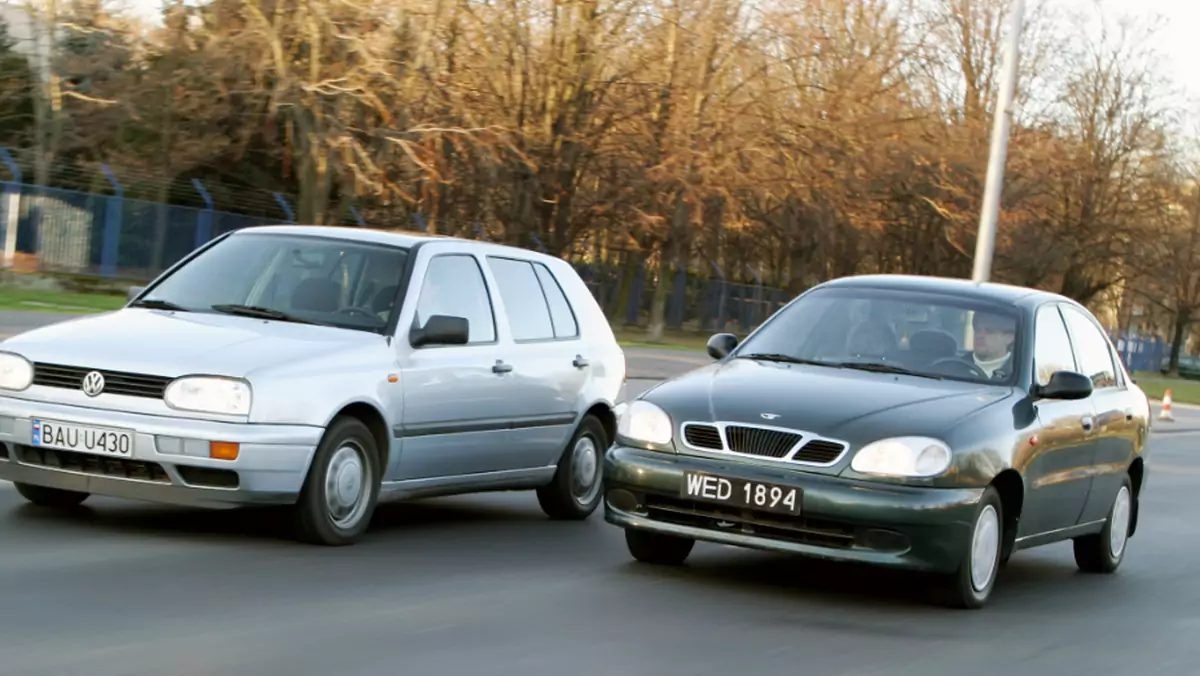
[343,488]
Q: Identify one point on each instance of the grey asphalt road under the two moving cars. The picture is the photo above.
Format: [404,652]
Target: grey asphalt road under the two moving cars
[487,585]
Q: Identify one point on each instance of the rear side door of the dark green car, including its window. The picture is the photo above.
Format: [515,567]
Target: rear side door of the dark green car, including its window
[1117,430]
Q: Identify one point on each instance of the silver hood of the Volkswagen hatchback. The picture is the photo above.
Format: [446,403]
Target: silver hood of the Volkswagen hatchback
[176,344]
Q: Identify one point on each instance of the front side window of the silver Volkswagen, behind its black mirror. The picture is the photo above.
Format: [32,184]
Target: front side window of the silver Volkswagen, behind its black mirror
[454,285]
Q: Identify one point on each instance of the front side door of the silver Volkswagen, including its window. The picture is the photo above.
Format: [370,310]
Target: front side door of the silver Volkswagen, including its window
[459,400]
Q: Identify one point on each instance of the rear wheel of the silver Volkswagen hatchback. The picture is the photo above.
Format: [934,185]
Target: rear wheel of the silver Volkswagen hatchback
[575,492]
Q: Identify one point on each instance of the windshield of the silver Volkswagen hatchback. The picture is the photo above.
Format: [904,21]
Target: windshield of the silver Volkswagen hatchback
[289,278]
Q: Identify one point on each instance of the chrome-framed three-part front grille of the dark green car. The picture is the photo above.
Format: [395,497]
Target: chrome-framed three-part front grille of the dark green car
[777,444]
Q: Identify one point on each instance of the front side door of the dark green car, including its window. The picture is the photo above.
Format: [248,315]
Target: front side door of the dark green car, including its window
[1058,468]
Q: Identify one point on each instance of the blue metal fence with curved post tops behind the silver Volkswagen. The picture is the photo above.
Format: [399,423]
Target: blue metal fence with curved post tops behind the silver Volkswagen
[113,236]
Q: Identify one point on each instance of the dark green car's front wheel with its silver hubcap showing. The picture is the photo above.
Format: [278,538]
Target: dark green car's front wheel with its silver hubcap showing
[970,588]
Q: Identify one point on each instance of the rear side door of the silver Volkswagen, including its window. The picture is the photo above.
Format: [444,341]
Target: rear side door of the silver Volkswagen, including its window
[549,373]
